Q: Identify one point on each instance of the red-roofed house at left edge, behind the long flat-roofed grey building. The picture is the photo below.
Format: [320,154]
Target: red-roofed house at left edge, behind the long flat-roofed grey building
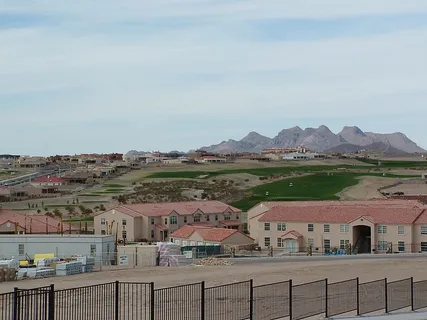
[13,222]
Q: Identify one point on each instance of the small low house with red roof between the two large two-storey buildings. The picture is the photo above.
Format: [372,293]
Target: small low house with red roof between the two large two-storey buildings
[209,236]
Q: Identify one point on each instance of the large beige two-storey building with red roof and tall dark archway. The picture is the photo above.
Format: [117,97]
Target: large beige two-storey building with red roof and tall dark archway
[324,225]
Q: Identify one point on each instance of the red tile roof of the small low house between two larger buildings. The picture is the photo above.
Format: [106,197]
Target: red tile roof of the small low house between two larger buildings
[207,233]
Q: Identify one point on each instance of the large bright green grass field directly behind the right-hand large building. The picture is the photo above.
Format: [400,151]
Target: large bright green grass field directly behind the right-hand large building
[314,187]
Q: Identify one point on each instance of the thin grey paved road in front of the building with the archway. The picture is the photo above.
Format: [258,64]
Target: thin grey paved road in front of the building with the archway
[253,260]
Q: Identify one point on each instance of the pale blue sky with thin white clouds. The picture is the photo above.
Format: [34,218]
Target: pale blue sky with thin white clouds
[112,76]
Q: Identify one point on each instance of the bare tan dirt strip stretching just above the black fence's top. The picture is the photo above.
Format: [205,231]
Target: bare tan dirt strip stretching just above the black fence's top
[300,272]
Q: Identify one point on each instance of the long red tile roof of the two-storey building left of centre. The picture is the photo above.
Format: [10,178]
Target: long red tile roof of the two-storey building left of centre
[180,208]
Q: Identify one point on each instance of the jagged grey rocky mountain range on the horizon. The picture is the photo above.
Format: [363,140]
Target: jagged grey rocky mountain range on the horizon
[322,139]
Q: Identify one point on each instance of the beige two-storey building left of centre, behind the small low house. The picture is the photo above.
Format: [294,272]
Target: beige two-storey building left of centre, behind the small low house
[156,221]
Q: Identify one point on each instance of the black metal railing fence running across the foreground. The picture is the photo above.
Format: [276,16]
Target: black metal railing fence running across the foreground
[239,300]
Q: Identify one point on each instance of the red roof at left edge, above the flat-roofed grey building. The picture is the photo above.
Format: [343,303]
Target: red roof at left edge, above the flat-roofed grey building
[38,222]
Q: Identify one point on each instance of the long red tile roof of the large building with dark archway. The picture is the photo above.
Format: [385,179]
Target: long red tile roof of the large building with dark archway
[384,211]
